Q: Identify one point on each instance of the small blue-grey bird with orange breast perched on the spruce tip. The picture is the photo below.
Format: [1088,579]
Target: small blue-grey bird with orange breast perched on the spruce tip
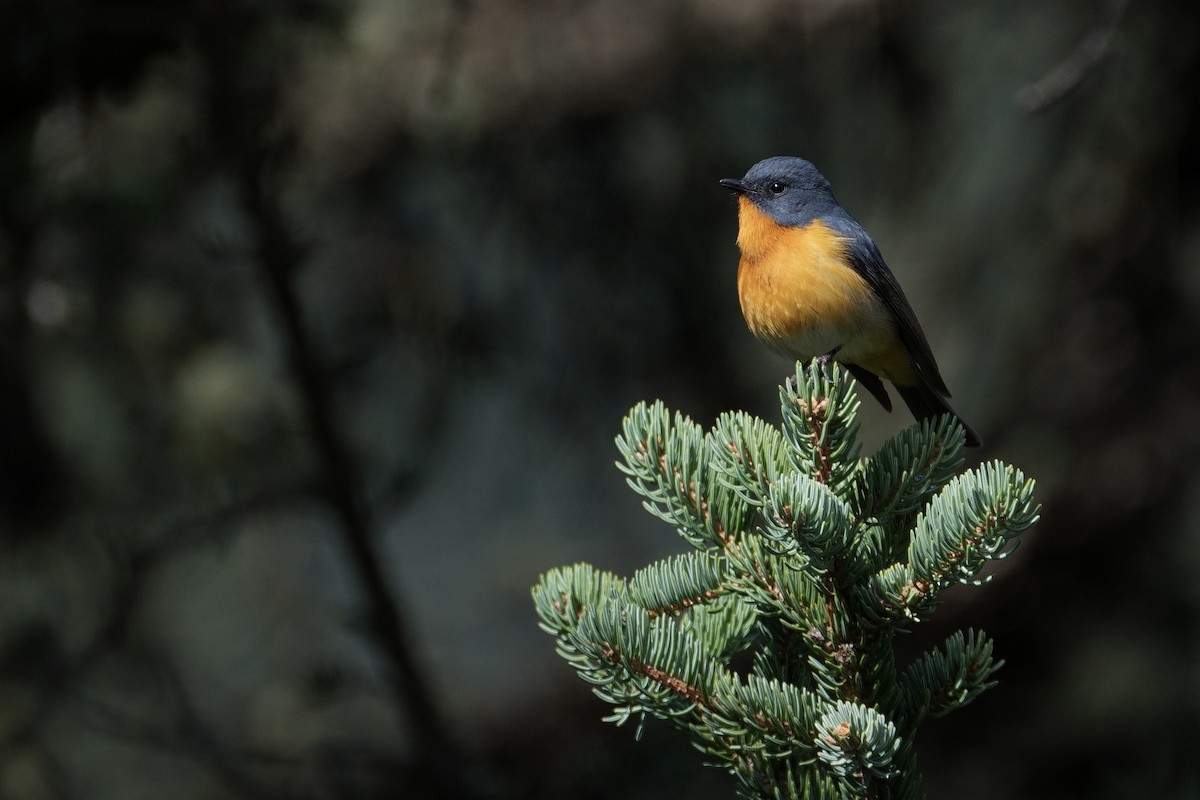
[813,285]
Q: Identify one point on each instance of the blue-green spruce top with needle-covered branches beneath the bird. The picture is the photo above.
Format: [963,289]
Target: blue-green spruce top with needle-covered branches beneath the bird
[807,561]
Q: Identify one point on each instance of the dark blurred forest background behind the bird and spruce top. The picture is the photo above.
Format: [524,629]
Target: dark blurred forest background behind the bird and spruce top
[319,317]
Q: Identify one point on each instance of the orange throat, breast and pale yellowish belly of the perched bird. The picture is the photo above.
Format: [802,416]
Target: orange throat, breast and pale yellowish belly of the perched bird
[801,298]
